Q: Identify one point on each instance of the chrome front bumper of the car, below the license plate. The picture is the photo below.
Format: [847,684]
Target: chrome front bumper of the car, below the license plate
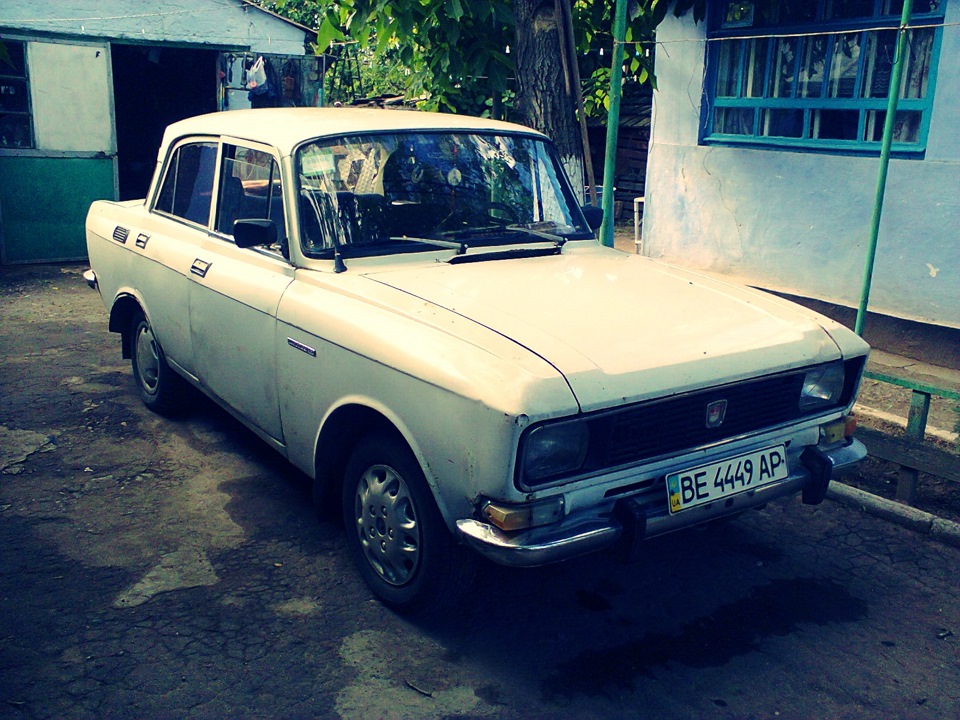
[627,522]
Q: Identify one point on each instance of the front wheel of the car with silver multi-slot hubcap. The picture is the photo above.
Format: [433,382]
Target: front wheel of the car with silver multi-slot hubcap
[399,542]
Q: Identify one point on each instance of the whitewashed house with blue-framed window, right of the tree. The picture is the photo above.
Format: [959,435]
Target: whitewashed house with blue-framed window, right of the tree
[764,153]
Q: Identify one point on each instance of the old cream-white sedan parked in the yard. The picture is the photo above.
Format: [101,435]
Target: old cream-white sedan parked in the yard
[413,309]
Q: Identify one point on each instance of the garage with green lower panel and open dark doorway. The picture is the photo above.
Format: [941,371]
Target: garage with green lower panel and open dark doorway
[87,86]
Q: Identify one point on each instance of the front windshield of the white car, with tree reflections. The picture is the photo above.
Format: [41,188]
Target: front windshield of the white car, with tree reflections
[380,194]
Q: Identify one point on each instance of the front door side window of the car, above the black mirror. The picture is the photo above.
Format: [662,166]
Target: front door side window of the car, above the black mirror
[250,187]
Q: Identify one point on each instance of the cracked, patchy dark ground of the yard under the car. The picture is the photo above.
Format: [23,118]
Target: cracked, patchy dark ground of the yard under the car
[152,568]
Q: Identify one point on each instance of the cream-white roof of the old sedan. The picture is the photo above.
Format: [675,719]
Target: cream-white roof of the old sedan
[285,128]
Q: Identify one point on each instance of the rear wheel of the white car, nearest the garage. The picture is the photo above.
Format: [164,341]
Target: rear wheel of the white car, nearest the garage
[161,389]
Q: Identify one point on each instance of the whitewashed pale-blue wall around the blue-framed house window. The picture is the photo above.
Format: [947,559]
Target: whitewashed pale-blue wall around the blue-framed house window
[800,221]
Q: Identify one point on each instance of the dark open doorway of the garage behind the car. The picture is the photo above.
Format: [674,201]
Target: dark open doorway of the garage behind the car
[153,86]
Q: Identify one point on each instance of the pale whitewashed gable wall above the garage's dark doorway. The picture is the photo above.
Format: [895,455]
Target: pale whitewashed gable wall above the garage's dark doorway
[204,22]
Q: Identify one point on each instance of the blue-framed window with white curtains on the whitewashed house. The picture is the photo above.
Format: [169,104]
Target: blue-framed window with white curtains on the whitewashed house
[815,75]
